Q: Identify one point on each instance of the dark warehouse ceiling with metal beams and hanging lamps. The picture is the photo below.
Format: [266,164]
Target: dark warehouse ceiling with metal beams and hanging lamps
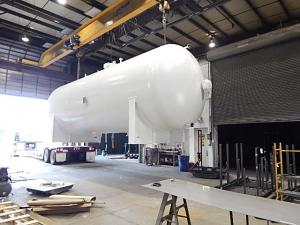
[190,22]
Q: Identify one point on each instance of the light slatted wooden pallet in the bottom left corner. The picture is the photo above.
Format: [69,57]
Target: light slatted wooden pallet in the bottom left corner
[12,214]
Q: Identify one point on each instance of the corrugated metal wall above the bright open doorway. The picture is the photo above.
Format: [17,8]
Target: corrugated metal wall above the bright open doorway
[14,82]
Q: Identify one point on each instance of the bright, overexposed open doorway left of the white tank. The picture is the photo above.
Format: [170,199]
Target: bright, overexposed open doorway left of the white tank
[23,120]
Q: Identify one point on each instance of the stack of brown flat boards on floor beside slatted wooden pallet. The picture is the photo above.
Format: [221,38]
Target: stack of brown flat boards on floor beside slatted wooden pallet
[61,204]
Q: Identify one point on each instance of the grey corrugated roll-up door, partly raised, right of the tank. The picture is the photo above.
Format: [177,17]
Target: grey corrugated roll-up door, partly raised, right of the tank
[258,86]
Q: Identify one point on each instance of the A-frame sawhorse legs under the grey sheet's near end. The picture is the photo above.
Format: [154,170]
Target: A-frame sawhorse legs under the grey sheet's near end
[173,211]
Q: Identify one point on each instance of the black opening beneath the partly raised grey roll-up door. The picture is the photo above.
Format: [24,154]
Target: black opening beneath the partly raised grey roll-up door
[262,135]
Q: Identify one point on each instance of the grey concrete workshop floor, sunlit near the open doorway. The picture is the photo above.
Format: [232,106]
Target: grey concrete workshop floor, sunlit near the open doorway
[118,183]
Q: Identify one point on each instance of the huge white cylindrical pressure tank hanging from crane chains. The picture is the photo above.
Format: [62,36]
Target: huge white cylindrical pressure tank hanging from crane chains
[164,83]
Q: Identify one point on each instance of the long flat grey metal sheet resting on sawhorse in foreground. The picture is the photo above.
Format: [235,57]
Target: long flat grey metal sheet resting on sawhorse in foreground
[268,209]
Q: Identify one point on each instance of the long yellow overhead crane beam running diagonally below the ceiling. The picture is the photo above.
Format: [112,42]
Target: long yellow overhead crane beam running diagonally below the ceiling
[115,15]
